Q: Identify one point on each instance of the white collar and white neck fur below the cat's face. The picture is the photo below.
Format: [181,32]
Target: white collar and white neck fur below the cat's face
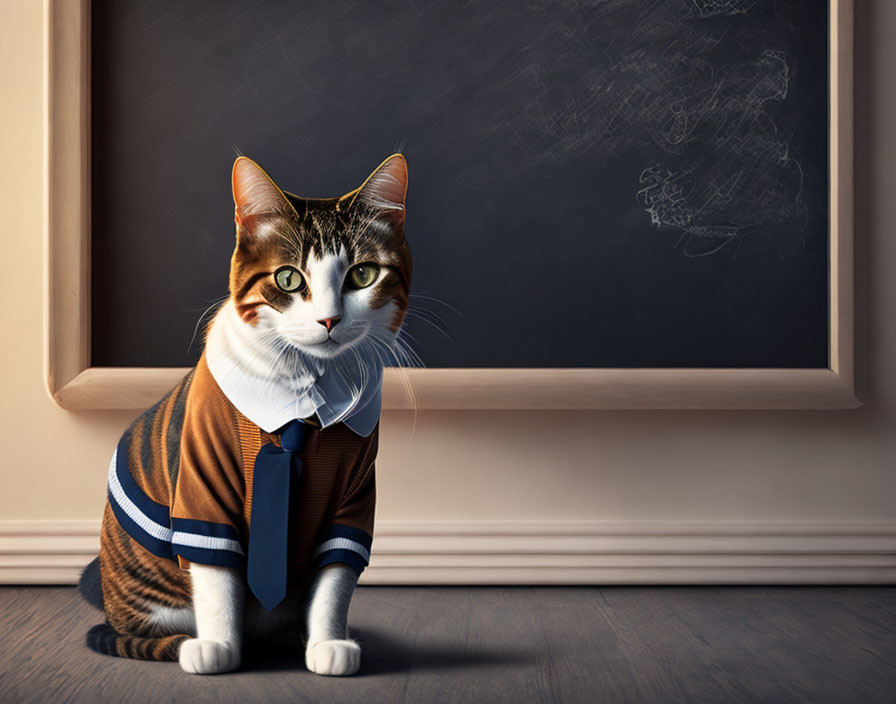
[270,400]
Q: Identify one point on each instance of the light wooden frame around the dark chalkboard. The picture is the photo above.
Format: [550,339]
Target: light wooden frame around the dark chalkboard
[74,384]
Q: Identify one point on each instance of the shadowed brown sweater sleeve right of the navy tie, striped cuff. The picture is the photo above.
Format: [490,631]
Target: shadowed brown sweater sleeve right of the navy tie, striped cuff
[348,535]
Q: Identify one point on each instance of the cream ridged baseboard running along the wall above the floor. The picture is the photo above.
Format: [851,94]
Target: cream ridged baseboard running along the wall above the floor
[546,552]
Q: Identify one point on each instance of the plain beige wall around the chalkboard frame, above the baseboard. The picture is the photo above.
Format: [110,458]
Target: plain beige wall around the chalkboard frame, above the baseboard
[518,465]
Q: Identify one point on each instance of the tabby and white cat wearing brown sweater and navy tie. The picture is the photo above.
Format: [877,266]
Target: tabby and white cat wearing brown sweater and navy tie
[193,529]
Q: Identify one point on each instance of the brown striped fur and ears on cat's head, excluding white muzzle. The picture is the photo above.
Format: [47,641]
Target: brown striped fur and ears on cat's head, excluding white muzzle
[275,228]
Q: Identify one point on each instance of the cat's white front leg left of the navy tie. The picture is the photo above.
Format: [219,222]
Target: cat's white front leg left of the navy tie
[218,606]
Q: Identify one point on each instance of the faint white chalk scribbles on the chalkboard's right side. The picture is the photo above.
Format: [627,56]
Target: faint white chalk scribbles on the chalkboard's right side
[720,167]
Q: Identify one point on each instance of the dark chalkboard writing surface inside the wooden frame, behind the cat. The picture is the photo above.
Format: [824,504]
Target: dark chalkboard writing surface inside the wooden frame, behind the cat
[592,184]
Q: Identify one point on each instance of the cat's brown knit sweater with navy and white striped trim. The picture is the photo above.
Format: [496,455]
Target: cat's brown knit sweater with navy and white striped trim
[181,479]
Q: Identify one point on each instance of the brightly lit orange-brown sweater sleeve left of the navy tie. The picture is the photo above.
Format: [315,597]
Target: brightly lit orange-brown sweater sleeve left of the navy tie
[206,516]
